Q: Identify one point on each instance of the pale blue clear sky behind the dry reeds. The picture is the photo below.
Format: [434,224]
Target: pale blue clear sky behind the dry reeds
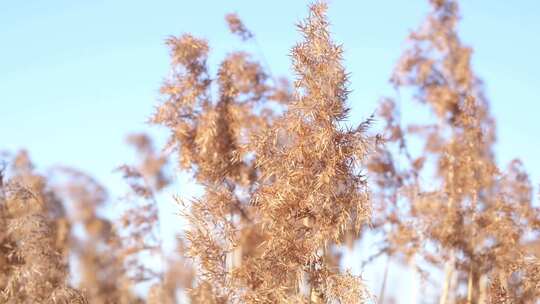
[76,77]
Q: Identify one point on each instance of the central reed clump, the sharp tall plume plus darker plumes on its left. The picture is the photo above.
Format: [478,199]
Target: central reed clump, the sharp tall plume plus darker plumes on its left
[257,229]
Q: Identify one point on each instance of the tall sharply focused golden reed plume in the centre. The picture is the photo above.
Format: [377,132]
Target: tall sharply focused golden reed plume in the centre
[310,190]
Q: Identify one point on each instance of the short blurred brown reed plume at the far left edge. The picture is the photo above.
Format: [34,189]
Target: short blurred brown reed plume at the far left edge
[32,240]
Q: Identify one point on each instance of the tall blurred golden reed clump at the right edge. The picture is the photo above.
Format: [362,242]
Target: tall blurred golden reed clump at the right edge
[476,216]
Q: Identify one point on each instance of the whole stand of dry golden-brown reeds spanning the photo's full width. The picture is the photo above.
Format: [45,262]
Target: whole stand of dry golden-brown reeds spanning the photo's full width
[284,188]
